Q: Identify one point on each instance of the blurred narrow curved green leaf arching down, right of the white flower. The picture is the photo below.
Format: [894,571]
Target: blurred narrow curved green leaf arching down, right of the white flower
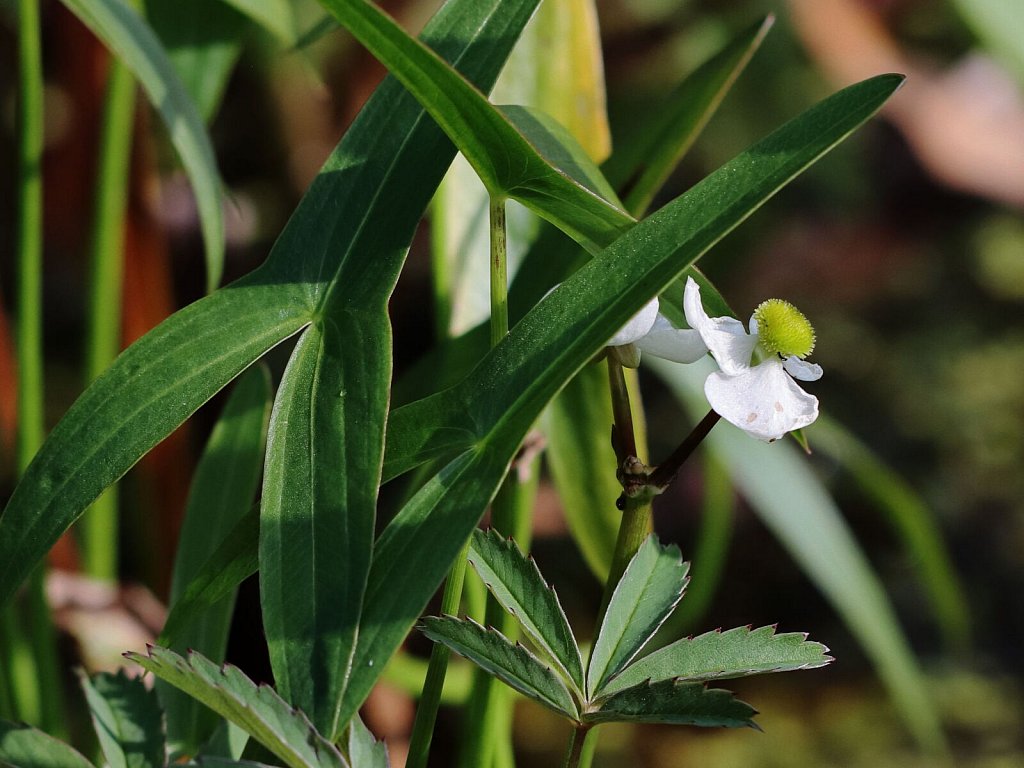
[913,521]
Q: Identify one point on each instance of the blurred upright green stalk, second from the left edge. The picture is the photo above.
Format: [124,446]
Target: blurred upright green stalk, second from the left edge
[99,529]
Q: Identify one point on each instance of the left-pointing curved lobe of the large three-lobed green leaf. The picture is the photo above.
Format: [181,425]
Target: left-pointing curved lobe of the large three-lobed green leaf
[154,387]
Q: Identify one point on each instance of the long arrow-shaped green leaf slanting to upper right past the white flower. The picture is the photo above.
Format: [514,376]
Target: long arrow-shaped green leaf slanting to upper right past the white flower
[488,415]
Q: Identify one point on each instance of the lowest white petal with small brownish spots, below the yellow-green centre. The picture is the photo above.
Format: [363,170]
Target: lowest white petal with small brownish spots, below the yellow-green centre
[763,402]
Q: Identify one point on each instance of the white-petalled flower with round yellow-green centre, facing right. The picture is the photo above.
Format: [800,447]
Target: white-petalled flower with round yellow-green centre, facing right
[762,400]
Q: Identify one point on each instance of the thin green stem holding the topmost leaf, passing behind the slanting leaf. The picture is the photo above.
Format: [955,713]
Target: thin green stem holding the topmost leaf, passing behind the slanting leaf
[426,713]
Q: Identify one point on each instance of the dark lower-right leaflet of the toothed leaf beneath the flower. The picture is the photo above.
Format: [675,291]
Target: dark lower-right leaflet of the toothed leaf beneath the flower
[678,704]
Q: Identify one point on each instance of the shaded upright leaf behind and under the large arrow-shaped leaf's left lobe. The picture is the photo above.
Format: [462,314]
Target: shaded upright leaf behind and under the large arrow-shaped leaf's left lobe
[222,496]
